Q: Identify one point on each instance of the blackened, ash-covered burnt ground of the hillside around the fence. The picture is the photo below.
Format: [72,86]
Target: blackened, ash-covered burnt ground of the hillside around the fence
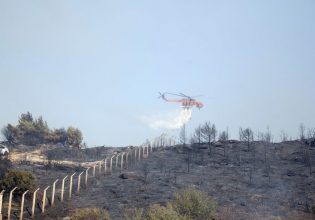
[267,181]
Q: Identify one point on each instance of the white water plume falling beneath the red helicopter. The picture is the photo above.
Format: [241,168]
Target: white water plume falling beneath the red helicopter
[171,120]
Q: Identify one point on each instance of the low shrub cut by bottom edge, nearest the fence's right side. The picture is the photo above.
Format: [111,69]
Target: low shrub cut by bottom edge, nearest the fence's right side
[90,214]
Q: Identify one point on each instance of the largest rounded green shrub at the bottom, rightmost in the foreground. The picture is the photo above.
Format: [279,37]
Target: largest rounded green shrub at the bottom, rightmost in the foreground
[194,204]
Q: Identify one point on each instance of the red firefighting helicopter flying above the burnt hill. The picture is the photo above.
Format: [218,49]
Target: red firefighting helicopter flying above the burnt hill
[186,101]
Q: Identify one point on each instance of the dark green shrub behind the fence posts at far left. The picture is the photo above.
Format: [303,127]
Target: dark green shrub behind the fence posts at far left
[23,180]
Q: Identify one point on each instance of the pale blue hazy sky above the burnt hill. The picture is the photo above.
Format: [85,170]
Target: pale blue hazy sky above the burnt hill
[99,65]
